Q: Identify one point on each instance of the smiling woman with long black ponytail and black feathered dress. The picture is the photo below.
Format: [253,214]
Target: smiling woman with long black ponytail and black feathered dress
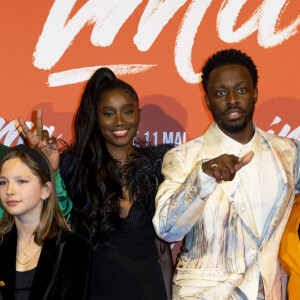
[112,184]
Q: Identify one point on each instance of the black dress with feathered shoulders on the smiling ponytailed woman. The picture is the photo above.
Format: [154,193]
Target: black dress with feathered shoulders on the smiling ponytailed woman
[126,262]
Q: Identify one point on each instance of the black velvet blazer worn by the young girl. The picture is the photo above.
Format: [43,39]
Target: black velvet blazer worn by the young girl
[63,271]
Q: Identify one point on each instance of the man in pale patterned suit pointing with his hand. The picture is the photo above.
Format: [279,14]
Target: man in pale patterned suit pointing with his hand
[229,193]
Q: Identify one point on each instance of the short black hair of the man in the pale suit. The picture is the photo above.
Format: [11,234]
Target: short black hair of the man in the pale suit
[228,57]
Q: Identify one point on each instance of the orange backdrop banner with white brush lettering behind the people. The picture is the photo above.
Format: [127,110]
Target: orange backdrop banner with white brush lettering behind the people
[50,48]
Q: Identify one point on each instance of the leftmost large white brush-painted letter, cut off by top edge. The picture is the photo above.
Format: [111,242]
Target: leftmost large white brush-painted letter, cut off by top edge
[58,33]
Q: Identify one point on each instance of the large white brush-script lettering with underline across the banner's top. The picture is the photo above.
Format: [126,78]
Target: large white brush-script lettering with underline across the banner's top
[109,16]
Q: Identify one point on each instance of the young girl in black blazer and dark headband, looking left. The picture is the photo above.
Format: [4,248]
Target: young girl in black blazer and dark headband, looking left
[40,257]
